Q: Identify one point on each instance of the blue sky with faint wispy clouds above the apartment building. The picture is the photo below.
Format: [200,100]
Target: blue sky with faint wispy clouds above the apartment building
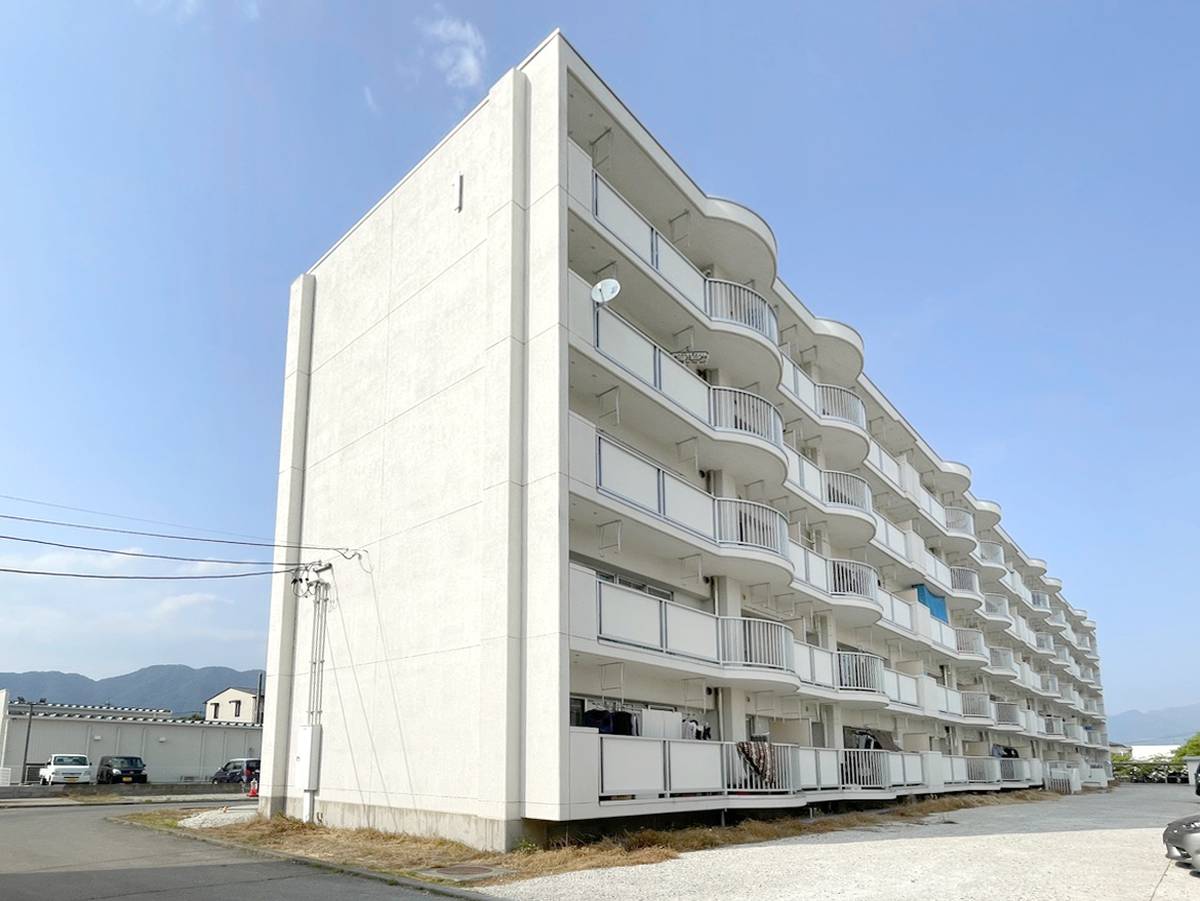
[1001,197]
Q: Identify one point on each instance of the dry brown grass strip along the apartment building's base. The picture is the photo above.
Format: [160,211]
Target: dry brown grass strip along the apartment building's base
[403,855]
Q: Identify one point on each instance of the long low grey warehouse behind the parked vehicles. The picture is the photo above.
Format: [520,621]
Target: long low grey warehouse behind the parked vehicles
[176,750]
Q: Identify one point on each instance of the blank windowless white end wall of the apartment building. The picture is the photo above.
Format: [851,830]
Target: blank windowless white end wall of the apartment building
[423,422]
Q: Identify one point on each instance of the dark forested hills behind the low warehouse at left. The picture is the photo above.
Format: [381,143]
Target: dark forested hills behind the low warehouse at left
[181,688]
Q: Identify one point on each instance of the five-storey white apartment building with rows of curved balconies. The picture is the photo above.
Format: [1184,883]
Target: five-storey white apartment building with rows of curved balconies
[664,551]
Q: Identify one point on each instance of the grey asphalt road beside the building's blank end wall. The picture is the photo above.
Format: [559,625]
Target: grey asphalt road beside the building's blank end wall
[74,854]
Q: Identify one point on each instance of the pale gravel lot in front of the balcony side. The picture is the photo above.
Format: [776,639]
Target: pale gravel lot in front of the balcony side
[1093,848]
